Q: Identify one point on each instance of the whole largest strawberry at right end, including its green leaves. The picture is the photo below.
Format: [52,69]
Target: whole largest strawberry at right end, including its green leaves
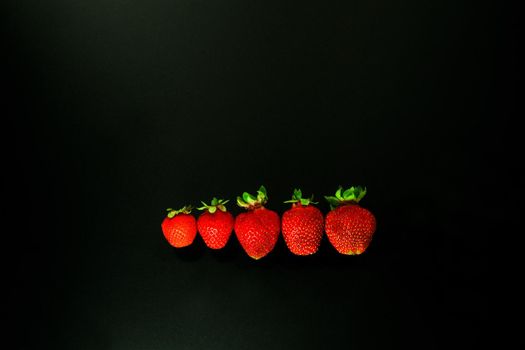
[349,227]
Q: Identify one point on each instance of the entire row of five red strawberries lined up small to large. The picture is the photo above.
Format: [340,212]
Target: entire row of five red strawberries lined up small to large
[348,226]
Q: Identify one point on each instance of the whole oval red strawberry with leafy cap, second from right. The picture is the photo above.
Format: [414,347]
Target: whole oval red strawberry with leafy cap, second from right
[302,225]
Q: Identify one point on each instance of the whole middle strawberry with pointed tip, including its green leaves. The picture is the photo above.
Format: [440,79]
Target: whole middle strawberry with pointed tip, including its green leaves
[258,229]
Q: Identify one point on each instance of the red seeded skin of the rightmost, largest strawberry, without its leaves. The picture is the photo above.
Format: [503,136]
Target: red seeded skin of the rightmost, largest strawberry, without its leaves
[350,228]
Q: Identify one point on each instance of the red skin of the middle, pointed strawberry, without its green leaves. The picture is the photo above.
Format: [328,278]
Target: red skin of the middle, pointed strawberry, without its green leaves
[257,230]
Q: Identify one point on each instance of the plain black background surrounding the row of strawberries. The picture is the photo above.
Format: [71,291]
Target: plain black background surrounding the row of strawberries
[123,108]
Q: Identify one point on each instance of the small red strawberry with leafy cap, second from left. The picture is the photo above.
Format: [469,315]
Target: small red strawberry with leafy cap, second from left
[215,226]
